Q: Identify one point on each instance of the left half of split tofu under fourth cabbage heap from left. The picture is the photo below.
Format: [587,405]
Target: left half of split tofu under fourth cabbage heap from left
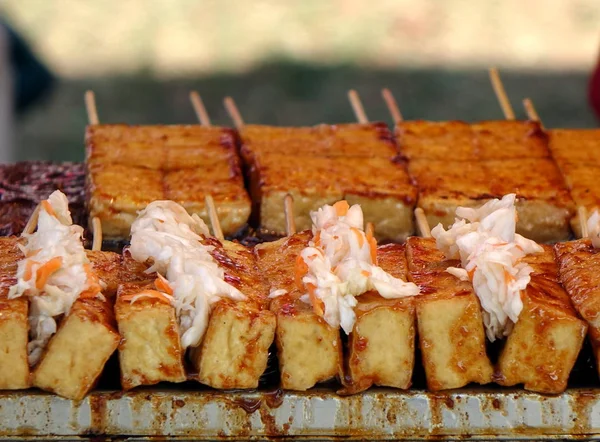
[450,324]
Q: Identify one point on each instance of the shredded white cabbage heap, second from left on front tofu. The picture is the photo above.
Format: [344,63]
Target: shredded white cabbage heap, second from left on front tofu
[168,237]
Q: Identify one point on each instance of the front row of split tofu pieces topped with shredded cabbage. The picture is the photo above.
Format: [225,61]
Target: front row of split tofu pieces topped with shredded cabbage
[180,304]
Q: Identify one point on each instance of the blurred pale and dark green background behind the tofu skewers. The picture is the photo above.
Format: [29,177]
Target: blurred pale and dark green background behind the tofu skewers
[292,62]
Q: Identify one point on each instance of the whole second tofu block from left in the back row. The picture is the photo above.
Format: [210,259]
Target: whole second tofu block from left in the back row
[354,162]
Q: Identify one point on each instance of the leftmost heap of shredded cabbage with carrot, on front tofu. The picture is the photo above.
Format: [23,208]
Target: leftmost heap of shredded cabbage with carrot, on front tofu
[54,273]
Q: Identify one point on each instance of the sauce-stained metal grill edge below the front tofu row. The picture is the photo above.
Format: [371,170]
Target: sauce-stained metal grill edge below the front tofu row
[375,415]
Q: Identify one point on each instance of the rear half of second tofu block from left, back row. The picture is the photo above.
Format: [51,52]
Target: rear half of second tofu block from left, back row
[343,140]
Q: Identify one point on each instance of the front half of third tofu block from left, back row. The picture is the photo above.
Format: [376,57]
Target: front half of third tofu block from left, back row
[544,205]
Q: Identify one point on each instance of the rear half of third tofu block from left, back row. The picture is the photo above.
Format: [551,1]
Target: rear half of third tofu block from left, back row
[459,141]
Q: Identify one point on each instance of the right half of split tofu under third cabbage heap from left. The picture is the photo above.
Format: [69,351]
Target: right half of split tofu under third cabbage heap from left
[381,348]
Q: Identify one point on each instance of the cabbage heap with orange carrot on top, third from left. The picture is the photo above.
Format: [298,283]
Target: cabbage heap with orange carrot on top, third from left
[341,264]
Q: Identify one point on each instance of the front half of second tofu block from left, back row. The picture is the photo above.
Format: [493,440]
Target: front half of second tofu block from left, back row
[381,186]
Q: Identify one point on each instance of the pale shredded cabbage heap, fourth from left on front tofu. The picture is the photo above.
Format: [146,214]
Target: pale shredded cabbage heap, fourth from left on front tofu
[491,254]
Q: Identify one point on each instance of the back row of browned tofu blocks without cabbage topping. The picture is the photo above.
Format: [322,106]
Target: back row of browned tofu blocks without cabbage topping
[437,166]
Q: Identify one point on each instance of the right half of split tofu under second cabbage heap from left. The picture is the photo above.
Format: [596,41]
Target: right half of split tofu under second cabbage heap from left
[235,349]
